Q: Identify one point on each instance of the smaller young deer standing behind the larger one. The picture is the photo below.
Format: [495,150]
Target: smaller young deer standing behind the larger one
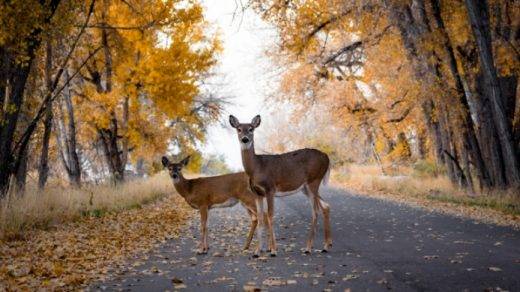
[221,191]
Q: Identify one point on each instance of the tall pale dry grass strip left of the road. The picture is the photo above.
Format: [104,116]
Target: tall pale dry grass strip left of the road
[57,204]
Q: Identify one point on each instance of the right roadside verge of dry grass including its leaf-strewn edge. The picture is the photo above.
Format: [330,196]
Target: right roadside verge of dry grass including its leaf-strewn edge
[410,186]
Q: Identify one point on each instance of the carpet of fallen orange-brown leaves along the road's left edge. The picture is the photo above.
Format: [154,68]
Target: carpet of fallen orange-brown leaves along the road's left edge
[74,254]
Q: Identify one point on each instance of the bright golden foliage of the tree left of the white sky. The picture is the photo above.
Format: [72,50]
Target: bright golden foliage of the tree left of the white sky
[158,55]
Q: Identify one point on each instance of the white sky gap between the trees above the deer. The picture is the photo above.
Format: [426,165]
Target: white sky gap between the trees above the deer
[247,71]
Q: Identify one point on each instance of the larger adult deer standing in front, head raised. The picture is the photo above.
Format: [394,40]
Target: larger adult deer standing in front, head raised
[285,174]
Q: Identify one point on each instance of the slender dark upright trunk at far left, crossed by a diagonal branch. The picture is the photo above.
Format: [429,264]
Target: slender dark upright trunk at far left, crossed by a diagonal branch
[43,168]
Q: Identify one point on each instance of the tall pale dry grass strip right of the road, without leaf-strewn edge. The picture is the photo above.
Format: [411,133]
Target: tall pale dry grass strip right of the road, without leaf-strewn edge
[423,182]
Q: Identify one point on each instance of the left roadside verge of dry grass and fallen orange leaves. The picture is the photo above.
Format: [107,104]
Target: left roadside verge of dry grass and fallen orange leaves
[77,238]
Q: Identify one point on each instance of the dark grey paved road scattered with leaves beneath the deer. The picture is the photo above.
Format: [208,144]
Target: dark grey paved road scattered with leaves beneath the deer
[378,245]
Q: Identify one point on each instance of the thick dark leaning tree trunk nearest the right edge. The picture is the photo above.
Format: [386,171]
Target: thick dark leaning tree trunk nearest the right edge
[479,18]
